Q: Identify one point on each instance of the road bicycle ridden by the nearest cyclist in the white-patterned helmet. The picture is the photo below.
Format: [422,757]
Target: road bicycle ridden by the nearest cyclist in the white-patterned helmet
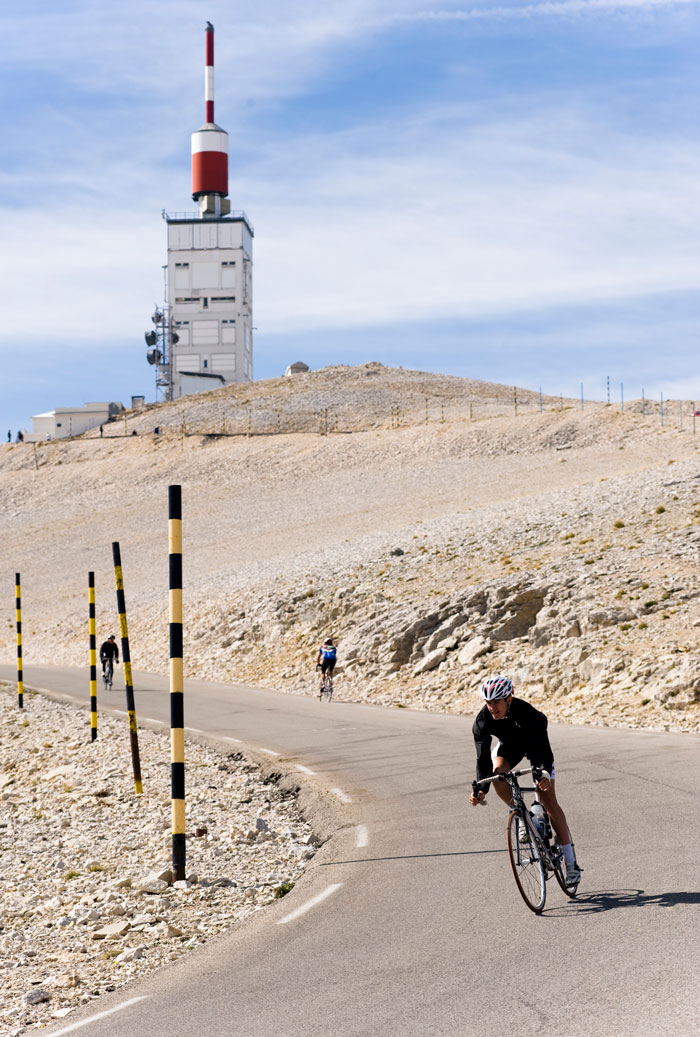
[536,854]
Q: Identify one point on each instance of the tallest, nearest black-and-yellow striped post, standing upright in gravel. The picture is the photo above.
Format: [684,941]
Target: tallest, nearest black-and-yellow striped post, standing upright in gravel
[177,685]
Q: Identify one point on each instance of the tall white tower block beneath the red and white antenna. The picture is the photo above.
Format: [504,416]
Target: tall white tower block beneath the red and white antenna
[210,297]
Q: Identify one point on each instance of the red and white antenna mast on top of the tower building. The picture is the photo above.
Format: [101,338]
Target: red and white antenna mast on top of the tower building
[210,149]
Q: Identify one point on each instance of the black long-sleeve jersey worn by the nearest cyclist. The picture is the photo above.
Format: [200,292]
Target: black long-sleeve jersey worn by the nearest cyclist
[523,730]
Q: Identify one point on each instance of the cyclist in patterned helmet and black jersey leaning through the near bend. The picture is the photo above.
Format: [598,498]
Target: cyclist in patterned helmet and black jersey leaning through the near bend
[520,731]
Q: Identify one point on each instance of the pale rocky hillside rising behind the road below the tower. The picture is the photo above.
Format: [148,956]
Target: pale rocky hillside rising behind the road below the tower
[561,547]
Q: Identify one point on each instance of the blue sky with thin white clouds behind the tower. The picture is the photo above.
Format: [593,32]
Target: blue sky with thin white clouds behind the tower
[508,191]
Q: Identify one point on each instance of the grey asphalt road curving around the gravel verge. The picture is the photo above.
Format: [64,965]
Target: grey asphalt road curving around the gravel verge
[418,929]
